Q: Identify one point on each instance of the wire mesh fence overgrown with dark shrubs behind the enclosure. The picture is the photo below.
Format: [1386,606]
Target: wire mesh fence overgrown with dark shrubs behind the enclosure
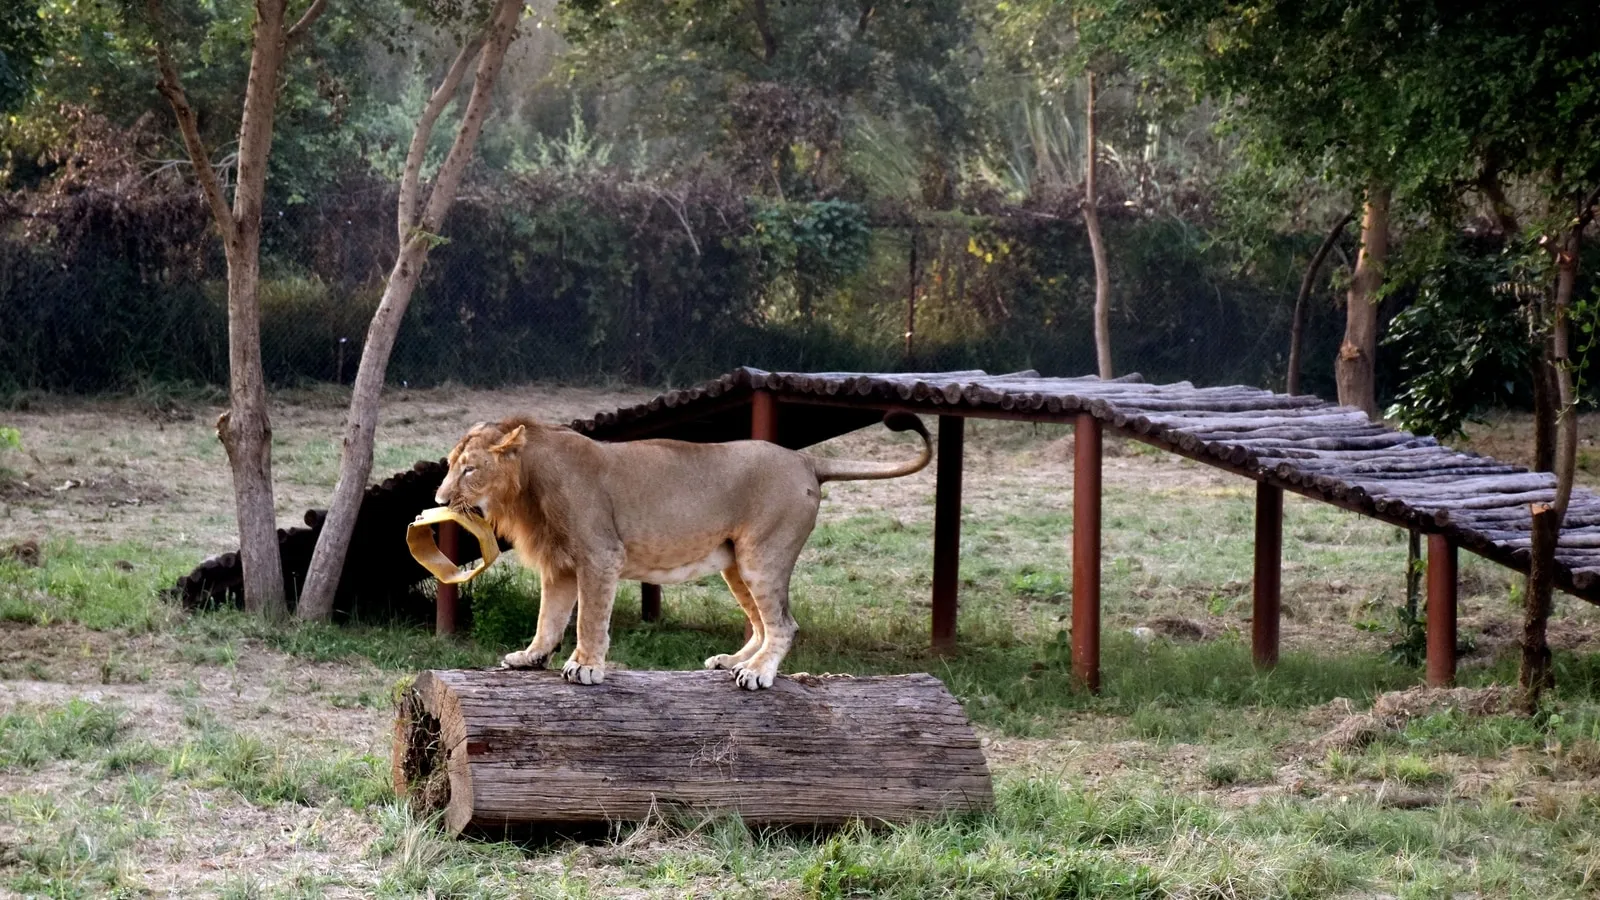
[649,291]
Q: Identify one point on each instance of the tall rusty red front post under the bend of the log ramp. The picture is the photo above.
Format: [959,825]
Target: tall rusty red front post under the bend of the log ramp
[1086,550]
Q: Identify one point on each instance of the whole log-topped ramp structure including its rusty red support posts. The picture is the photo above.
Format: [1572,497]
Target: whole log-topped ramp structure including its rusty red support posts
[1282,443]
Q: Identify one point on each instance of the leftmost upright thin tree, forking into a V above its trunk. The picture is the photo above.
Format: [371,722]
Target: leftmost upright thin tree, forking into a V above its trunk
[244,428]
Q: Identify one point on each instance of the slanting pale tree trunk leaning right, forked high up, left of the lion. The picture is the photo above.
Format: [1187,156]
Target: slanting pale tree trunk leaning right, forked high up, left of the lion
[356,462]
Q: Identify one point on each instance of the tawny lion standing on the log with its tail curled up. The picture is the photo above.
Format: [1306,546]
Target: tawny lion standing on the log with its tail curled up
[588,515]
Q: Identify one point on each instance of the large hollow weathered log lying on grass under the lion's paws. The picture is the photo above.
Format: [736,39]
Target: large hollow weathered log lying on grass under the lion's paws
[524,749]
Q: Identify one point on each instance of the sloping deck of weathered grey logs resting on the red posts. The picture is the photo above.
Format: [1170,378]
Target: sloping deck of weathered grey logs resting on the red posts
[1298,443]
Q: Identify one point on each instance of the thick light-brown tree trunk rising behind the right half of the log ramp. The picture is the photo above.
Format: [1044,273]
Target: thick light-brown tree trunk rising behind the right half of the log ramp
[1354,371]
